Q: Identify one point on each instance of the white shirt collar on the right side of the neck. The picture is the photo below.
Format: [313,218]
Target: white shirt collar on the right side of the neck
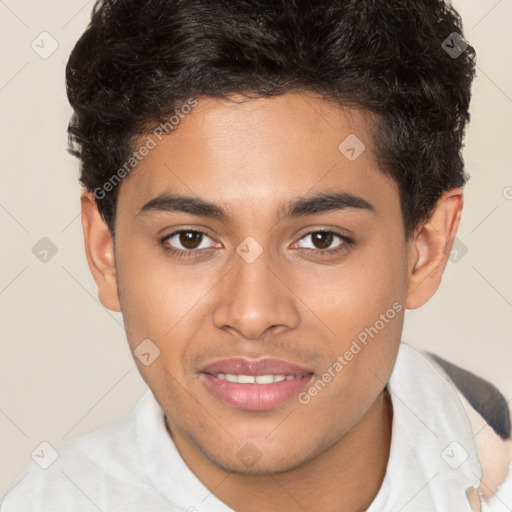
[433,458]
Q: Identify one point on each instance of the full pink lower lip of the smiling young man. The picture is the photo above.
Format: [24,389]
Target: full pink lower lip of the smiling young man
[255,397]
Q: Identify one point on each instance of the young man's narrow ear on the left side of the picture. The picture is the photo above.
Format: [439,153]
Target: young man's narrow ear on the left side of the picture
[99,248]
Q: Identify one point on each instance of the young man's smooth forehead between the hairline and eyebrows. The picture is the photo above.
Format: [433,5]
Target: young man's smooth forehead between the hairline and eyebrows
[250,153]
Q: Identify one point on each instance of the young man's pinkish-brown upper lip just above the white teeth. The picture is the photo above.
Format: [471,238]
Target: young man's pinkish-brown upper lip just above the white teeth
[244,366]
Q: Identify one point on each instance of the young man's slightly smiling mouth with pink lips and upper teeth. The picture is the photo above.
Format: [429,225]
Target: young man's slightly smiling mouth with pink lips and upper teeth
[255,385]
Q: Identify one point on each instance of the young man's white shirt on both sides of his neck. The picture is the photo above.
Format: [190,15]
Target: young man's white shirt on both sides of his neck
[133,464]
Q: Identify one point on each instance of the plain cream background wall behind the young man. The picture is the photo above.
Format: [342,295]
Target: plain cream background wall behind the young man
[65,367]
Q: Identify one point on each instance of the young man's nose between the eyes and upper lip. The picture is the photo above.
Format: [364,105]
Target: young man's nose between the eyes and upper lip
[256,296]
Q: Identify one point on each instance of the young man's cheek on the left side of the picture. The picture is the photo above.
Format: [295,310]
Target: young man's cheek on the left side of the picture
[165,303]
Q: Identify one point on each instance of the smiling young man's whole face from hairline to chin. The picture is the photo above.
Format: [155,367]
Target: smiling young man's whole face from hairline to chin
[265,272]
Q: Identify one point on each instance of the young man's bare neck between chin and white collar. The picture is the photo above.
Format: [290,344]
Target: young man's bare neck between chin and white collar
[345,477]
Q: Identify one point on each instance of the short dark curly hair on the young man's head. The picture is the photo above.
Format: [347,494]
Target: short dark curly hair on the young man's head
[406,61]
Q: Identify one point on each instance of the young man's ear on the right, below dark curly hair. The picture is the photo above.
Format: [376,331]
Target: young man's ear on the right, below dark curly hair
[430,248]
